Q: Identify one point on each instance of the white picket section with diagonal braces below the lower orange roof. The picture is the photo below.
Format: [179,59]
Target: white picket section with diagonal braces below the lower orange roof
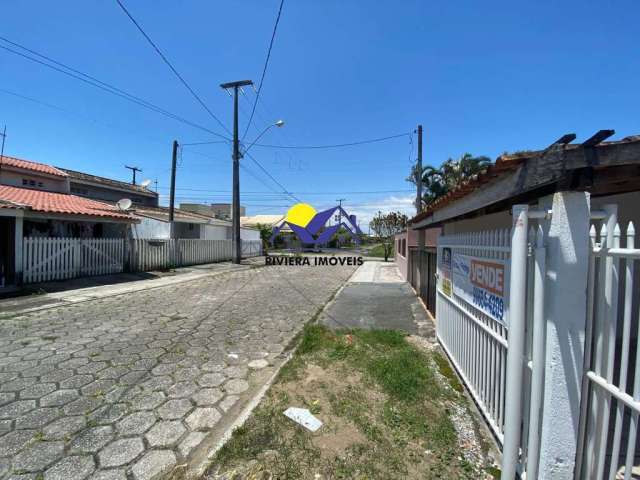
[46,259]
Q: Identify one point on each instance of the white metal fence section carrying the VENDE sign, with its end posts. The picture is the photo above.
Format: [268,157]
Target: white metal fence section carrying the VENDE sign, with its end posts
[490,322]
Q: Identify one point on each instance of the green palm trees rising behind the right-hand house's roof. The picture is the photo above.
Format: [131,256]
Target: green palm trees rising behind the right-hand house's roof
[437,182]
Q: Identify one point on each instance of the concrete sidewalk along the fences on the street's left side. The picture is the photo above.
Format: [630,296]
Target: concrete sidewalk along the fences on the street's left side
[54,294]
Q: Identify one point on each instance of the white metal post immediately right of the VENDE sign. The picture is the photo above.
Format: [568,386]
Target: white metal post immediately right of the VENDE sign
[515,352]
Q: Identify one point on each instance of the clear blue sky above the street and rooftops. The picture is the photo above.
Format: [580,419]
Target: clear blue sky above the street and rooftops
[482,77]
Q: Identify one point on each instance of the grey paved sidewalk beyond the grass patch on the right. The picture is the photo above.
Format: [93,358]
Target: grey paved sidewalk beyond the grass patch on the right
[376,297]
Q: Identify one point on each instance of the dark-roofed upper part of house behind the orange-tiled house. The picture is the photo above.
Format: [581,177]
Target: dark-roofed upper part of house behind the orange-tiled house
[107,189]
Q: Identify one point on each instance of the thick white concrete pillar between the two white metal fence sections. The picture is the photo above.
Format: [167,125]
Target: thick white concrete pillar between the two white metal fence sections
[568,254]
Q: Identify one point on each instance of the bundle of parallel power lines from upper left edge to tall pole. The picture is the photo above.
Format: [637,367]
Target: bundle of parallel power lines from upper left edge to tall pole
[93,81]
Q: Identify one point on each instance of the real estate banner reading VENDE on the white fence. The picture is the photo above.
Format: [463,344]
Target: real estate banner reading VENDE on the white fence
[481,282]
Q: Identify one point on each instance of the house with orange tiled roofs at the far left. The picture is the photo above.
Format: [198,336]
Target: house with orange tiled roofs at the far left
[35,201]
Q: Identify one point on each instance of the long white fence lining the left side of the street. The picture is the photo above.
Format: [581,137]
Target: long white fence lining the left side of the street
[46,259]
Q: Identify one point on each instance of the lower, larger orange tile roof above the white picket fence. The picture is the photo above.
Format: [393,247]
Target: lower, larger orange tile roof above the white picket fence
[50,202]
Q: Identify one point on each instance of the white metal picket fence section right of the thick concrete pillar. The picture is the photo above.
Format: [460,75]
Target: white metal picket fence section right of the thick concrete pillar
[610,406]
